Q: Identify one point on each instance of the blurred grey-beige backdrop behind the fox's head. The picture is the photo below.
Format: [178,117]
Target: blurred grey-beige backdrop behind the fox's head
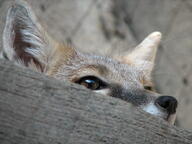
[110,27]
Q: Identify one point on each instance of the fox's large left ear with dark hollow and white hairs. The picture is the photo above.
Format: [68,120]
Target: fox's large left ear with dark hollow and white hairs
[24,40]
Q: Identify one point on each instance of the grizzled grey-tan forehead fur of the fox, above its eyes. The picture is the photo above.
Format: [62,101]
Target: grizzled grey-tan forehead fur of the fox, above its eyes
[106,68]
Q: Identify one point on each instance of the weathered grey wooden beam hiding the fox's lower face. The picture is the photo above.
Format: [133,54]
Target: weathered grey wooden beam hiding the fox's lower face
[35,109]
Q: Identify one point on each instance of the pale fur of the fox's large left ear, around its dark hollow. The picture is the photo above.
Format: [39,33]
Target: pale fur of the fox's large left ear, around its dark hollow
[42,46]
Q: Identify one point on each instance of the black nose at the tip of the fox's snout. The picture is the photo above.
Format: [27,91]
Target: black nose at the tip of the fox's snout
[168,103]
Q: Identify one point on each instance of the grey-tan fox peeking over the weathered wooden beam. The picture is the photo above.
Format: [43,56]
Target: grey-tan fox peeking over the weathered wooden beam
[127,77]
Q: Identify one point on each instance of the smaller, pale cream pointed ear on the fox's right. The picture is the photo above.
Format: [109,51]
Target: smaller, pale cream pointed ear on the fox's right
[145,52]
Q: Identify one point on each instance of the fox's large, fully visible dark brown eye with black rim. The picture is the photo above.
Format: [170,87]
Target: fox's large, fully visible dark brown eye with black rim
[92,82]
